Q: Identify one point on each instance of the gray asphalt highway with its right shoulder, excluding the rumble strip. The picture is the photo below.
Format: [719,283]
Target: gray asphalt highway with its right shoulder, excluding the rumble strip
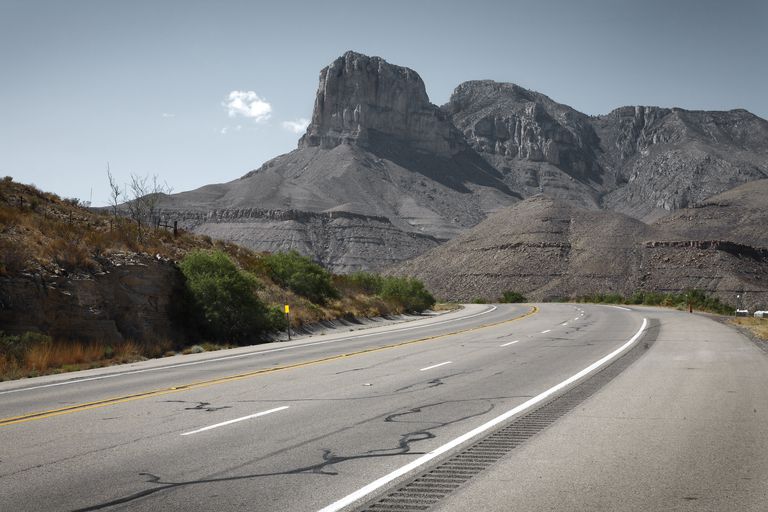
[329,421]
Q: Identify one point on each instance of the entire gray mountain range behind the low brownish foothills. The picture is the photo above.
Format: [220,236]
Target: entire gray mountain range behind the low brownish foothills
[382,174]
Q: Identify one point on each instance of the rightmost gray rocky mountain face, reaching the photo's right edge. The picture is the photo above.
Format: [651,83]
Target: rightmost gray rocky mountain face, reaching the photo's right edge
[667,159]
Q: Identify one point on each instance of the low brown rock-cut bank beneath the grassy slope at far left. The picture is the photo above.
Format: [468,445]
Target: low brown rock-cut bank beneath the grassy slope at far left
[131,297]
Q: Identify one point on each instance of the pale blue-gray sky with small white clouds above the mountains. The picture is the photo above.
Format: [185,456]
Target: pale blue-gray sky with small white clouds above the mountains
[201,92]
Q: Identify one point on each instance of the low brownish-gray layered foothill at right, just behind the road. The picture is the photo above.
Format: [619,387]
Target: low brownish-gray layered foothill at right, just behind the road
[548,249]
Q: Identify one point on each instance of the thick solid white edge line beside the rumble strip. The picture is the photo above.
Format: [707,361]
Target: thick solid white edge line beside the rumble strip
[377,484]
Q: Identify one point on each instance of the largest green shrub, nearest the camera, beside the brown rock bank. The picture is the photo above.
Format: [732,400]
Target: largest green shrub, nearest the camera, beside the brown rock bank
[225,297]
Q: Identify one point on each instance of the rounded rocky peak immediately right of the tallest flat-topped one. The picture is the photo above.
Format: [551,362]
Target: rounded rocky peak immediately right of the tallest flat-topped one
[538,145]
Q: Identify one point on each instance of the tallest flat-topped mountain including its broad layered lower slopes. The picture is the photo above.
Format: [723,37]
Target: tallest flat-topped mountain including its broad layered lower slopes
[382,170]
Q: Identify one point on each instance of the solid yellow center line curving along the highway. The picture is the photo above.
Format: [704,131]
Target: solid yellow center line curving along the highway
[220,380]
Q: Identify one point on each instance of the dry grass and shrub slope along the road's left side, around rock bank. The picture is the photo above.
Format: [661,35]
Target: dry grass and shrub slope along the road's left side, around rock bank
[233,296]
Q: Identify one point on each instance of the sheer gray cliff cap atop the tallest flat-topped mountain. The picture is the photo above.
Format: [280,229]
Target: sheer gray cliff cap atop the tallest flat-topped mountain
[358,95]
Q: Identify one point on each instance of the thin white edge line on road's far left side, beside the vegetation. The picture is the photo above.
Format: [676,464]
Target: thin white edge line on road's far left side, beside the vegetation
[239,356]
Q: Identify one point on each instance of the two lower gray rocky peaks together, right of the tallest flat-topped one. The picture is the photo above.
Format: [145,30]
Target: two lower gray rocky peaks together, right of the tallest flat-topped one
[642,161]
